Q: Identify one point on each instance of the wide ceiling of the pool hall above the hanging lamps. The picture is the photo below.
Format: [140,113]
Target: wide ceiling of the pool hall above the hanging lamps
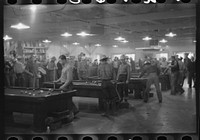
[133,21]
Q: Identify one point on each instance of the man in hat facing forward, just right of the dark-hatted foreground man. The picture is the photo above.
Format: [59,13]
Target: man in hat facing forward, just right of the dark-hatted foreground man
[123,75]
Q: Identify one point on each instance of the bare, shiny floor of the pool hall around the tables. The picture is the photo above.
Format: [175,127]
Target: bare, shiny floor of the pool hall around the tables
[177,114]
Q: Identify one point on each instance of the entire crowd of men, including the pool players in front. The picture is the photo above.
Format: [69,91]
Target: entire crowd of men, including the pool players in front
[32,73]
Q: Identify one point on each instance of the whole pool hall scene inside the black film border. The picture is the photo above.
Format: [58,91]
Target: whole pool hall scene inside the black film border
[93,69]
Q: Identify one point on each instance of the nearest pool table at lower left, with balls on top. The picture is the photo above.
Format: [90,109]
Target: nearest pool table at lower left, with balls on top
[39,102]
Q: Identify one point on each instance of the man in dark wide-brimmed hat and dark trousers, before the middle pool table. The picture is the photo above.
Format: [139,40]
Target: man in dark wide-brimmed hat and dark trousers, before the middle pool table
[106,74]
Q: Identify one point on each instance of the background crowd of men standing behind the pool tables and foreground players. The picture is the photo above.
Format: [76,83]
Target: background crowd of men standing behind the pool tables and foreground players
[32,73]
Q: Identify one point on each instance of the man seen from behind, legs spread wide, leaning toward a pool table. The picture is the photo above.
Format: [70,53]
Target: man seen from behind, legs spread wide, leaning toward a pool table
[152,71]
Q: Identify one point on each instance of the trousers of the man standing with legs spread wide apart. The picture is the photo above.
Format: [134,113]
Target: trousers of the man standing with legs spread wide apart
[152,79]
